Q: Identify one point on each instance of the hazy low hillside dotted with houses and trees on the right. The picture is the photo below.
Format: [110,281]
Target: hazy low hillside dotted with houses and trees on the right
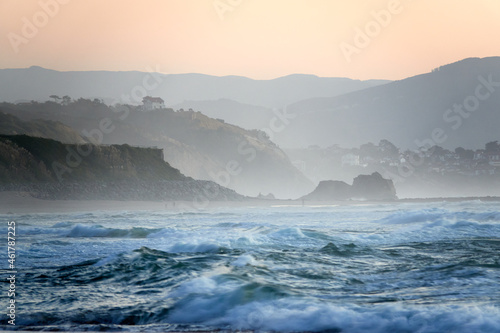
[321,163]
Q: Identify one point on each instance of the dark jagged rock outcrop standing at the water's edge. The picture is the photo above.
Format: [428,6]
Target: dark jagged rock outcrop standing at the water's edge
[364,187]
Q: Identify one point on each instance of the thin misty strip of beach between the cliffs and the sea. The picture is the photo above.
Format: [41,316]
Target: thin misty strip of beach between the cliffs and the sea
[17,202]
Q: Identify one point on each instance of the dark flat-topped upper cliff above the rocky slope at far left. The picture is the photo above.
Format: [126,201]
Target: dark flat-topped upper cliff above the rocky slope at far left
[24,158]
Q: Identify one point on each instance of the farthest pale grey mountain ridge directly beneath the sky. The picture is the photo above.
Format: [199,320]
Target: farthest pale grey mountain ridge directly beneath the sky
[37,83]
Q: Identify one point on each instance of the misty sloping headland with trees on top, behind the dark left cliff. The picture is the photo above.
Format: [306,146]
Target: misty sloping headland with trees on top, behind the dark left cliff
[199,146]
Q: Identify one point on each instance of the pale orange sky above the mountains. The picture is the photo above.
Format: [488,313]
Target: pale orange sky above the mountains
[260,39]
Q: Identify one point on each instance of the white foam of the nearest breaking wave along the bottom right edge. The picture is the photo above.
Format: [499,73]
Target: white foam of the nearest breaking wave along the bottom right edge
[303,315]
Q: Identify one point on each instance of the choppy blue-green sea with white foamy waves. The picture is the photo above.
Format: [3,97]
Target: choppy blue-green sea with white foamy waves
[373,268]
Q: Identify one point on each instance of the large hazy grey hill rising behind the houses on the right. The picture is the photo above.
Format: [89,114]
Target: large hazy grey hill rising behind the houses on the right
[454,105]
